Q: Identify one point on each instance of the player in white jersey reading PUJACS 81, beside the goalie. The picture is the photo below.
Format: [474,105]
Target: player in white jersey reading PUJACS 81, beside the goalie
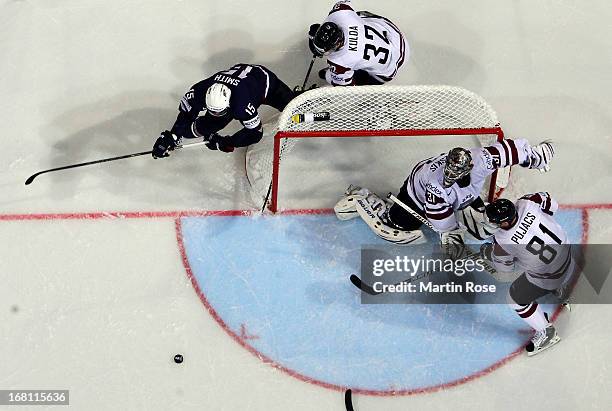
[530,239]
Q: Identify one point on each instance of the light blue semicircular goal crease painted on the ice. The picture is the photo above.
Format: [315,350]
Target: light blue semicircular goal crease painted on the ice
[284,279]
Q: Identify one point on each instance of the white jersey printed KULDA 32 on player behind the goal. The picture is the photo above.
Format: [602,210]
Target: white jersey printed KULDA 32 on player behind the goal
[371,43]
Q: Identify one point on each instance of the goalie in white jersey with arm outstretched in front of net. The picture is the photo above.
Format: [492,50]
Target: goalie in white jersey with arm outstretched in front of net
[445,190]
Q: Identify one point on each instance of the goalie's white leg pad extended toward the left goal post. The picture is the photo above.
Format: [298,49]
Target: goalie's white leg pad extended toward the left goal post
[371,208]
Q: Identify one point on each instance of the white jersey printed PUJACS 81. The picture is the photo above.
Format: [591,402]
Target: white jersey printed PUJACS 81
[536,244]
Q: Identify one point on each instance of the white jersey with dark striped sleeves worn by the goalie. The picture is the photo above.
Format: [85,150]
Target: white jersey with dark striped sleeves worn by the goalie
[425,183]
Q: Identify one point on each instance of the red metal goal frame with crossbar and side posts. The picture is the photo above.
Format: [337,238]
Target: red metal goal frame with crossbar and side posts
[273,204]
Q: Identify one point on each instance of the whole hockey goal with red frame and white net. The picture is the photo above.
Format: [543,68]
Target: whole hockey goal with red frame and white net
[431,120]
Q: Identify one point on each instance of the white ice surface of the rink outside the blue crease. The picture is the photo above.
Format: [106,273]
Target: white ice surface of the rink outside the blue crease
[102,306]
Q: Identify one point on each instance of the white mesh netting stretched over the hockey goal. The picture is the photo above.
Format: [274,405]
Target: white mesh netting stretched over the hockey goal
[369,112]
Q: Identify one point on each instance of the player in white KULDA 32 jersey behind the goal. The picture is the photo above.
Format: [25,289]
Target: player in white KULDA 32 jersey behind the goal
[361,48]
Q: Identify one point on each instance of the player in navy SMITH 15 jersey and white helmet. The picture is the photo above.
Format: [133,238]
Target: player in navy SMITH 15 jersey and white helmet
[211,104]
